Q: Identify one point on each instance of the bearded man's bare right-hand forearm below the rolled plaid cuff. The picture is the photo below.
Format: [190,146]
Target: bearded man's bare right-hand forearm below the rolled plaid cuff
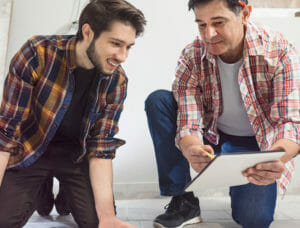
[101,181]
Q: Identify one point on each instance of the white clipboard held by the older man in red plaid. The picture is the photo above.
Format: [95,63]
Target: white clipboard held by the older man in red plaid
[225,170]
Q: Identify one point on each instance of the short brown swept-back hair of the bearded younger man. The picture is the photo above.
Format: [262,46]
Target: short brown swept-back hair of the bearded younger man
[100,14]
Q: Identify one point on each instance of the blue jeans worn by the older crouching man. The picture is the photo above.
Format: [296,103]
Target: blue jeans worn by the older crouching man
[252,205]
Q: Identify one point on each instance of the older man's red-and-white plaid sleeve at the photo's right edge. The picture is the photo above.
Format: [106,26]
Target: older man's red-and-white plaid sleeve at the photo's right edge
[285,111]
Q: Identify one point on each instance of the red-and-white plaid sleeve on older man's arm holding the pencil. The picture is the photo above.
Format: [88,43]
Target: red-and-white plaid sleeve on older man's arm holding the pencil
[187,93]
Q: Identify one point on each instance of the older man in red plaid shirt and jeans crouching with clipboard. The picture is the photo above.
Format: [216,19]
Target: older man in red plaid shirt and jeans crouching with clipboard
[236,89]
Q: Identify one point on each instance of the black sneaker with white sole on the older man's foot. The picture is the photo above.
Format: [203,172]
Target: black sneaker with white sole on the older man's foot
[181,211]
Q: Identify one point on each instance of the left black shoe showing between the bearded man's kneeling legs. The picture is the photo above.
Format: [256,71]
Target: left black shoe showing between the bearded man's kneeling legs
[45,198]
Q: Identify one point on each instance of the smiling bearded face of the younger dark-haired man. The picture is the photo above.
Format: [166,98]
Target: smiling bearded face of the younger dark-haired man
[111,47]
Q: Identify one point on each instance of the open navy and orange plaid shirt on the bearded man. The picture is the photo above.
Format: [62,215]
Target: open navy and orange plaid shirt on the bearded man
[37,92]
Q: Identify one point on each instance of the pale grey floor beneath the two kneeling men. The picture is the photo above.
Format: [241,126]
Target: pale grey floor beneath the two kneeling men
[215,214]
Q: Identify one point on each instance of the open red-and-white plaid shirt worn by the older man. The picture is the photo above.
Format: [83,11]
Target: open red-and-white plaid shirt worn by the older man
[269,81]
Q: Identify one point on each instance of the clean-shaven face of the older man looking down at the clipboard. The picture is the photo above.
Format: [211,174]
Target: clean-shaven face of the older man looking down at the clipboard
[221,29]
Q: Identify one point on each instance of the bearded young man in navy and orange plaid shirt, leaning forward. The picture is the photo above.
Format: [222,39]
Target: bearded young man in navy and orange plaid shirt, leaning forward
[62,100]
